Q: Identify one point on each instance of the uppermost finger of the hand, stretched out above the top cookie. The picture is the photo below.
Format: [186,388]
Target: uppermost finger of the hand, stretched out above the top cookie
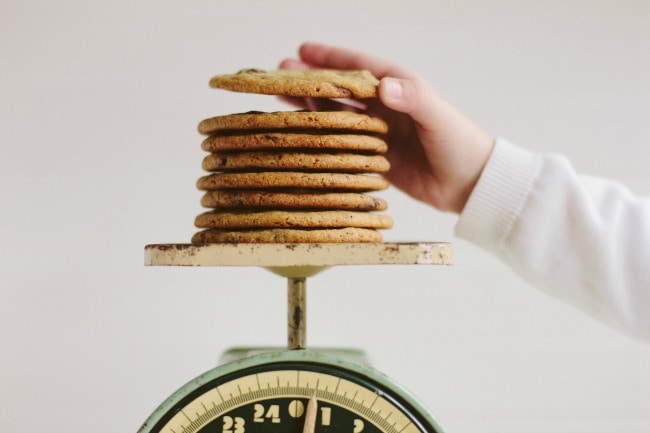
[325,56]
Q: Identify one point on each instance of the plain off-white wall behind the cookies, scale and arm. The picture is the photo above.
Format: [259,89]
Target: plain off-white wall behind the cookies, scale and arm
[99,103]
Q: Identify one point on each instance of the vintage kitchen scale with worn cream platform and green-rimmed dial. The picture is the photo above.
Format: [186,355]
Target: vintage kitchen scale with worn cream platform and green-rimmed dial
[293,389]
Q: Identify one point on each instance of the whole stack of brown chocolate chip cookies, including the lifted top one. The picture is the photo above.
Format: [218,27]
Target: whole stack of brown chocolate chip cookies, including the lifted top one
[300,176]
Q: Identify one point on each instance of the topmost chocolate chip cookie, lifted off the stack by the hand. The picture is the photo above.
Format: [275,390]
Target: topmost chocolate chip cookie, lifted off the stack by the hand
[312,83]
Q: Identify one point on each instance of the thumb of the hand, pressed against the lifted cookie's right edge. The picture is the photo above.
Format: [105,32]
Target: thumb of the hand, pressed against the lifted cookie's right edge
[410,96]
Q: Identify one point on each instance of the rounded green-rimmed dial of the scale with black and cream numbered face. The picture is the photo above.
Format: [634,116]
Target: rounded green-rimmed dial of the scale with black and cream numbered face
[271,393]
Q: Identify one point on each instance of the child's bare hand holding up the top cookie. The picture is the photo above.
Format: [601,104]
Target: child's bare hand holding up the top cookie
[436,153]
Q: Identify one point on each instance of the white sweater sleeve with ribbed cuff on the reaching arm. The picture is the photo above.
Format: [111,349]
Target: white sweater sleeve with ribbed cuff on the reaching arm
[583,239]
